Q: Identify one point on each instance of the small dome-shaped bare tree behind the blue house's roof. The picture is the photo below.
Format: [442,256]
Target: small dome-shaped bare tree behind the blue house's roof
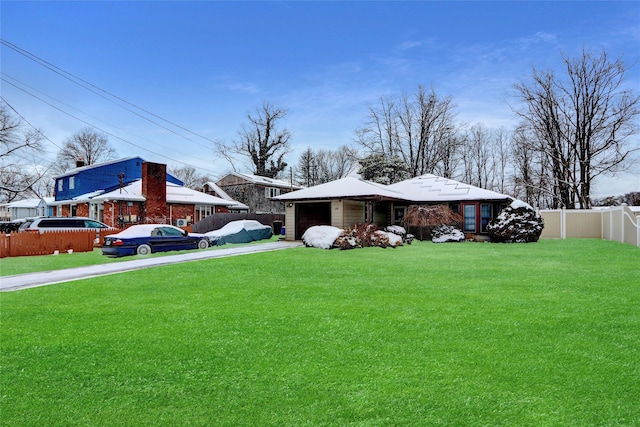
[87,146]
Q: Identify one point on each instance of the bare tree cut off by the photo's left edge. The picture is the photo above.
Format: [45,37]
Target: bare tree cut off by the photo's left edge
[19,146]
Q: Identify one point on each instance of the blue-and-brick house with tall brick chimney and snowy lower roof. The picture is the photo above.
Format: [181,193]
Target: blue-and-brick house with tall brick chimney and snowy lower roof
[131,191]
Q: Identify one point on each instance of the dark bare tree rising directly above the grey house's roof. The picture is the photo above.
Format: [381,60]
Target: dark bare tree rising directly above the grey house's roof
[260,142]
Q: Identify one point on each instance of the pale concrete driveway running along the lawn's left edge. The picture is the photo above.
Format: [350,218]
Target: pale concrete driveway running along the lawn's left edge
[31,280]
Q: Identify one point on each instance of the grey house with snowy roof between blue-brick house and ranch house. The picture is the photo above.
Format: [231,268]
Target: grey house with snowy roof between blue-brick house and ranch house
[257,192]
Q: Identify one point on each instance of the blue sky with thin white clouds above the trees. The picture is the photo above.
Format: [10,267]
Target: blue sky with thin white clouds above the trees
[206,65]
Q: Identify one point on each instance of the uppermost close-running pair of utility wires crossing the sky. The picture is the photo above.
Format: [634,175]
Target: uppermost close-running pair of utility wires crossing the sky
[99,91]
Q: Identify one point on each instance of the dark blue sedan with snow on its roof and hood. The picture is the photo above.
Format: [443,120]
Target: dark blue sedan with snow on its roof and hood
[147,238]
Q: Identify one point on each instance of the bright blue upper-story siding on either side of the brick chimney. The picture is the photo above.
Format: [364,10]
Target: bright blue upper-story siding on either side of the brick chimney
[106,176]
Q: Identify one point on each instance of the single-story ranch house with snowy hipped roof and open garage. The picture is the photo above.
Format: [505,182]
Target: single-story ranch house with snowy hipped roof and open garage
[350,201]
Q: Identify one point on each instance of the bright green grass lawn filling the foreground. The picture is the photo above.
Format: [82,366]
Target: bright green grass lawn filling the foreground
[470,334]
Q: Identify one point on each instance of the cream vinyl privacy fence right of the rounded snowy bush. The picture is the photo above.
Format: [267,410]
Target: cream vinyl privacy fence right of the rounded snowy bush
[618,223]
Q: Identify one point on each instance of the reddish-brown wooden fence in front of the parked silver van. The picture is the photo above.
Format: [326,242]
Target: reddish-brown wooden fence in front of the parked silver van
[28,243]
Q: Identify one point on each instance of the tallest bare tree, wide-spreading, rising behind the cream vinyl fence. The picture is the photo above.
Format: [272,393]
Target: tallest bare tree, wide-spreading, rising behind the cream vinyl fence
[581,123]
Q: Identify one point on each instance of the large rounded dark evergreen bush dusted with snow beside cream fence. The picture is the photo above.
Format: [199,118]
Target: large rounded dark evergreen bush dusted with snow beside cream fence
[517,223]
